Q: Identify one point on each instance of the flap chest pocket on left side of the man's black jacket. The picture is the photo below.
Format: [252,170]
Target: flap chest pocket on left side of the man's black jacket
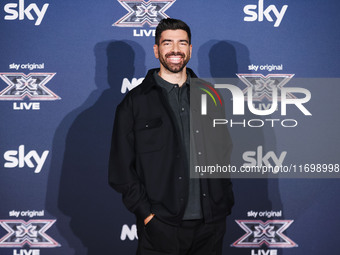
[148,134]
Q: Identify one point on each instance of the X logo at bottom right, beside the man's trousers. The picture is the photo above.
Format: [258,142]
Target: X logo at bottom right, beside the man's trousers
[269,233]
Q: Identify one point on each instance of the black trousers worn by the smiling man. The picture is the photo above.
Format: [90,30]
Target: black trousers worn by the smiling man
[192,237]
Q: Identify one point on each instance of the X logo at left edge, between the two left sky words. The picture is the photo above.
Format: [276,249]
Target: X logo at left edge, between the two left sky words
[32,86]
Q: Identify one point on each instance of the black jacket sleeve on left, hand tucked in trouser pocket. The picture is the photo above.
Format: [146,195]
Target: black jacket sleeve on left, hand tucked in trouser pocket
[123,176]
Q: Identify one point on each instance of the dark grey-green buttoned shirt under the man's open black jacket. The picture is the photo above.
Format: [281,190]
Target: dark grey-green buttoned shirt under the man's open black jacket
[178,98]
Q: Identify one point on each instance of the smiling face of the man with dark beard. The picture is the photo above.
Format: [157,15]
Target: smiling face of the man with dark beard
[174,50]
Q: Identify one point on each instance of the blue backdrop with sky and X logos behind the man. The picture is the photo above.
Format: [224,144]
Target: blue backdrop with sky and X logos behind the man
[66,65]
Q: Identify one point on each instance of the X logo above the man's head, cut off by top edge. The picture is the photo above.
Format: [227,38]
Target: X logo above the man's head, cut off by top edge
[142,12]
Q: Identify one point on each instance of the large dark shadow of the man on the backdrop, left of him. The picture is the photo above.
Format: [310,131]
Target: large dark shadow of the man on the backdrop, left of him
[90,214]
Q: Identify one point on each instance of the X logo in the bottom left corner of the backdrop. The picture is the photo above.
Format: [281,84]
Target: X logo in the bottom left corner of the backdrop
[31,233]
